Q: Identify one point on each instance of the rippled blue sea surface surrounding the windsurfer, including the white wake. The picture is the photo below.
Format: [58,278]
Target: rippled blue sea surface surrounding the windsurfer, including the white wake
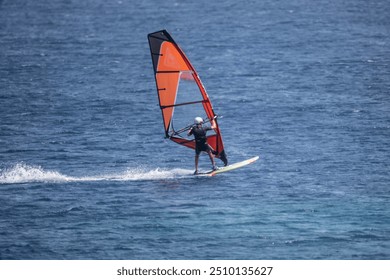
[85,171]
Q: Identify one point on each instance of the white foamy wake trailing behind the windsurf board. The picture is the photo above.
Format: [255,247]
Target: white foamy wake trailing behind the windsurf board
[24,173]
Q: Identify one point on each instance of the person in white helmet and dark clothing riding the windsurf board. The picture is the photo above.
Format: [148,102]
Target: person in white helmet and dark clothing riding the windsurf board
[199,131]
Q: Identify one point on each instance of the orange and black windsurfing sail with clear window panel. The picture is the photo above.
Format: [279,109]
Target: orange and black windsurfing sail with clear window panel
[181,94]
